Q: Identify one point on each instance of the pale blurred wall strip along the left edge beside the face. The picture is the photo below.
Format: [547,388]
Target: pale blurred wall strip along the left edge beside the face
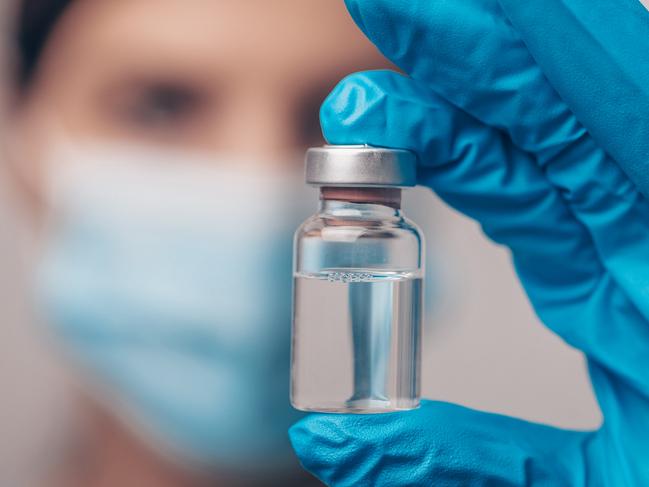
[33,388]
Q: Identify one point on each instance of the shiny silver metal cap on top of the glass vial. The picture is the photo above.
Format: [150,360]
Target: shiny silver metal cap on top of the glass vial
[360,166]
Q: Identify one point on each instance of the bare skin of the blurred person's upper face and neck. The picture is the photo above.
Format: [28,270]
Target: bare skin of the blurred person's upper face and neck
[210,75]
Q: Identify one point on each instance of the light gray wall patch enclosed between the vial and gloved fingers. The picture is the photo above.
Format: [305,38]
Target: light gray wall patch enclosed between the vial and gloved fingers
[484,346]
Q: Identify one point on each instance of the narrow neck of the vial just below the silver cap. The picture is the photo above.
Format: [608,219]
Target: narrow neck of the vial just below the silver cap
[379,202]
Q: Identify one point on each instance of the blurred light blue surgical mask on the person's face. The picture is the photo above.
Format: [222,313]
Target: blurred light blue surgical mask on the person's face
[167,278]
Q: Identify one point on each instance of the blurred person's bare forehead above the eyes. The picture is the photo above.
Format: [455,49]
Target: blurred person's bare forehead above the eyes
[295,39]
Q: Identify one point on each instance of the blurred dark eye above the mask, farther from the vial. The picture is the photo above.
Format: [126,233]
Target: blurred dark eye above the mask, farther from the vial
[160,105]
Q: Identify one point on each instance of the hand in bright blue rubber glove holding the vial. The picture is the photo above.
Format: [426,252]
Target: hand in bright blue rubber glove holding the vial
[496,141]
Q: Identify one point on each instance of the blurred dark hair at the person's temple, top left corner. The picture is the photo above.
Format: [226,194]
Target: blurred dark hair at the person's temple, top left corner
[36,21]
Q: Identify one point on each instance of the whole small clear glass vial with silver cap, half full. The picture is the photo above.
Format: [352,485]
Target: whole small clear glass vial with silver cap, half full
[358,272]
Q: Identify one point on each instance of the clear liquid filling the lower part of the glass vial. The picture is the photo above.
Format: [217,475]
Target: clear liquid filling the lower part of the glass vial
[356,341]
